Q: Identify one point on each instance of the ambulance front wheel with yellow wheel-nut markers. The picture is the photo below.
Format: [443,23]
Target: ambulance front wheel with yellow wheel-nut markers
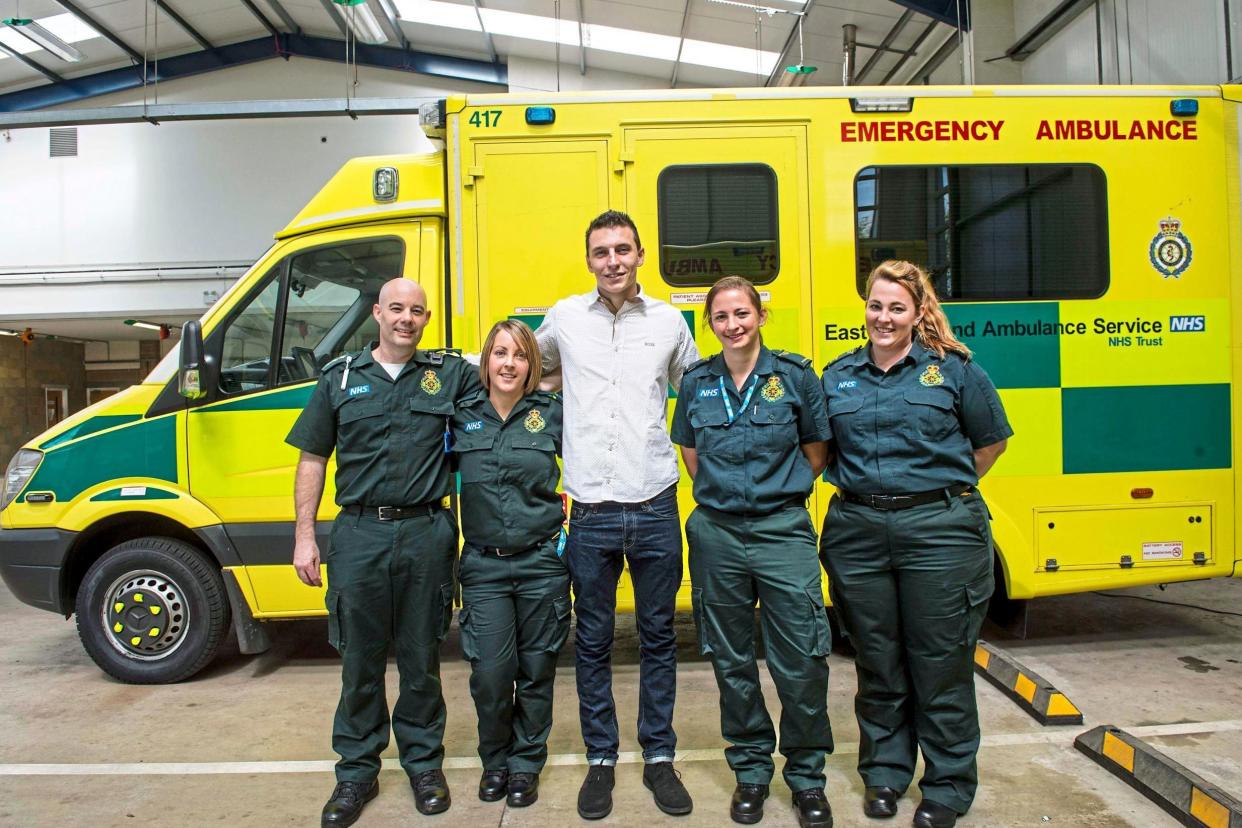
[152,611]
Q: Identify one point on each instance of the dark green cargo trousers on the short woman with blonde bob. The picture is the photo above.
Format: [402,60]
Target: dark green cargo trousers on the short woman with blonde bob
[515,620]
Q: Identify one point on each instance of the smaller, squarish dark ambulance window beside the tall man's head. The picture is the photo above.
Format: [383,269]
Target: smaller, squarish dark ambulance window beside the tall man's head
[718,220]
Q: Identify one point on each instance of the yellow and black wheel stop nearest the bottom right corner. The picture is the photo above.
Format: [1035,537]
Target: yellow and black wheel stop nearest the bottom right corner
[1187,796]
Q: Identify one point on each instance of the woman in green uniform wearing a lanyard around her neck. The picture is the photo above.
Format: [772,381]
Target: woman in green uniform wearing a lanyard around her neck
[752,425]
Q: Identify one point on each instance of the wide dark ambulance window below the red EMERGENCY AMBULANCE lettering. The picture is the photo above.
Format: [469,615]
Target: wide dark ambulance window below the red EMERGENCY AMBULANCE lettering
[988,233]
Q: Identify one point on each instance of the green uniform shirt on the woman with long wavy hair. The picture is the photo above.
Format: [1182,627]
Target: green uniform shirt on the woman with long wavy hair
[915,428]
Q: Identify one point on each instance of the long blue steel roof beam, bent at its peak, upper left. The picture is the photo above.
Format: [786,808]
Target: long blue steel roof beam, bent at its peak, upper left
[171,69]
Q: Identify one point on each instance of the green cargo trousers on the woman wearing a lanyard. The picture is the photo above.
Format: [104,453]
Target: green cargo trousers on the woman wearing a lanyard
[737,560]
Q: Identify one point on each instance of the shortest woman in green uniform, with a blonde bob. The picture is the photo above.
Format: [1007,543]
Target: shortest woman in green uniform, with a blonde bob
[516,608]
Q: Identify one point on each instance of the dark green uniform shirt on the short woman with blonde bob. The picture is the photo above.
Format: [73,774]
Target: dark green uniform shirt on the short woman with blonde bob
[509,471]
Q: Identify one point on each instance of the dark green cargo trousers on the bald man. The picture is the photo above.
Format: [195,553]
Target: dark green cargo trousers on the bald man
[389,583]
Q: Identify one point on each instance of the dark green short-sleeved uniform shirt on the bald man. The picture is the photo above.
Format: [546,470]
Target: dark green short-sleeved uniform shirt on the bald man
[389,434]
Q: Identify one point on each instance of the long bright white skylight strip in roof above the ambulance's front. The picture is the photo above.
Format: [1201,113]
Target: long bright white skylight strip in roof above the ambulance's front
[608,39]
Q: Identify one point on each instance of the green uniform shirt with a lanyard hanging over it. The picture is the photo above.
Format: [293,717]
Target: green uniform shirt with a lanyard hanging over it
[756,465]
